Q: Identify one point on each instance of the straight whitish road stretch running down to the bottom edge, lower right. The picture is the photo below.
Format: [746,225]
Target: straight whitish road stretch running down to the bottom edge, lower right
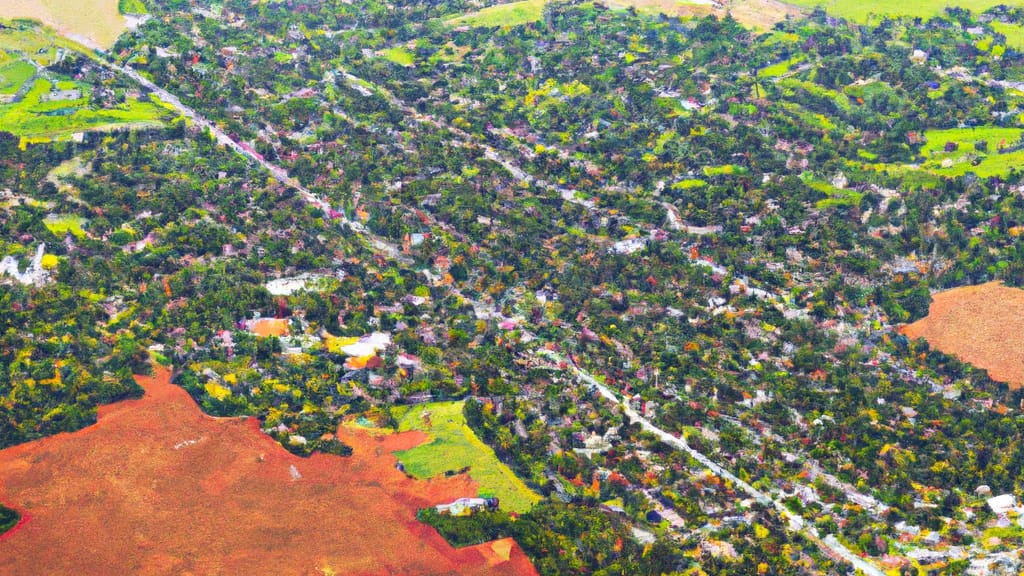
[829,544]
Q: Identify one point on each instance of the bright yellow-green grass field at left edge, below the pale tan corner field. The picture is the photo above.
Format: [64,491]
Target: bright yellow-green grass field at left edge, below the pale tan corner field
[37,120]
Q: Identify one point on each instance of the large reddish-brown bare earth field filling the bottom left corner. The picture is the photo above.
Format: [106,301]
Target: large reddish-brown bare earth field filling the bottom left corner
[157,487]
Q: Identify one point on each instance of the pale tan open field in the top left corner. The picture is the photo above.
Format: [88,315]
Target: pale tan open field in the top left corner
[97,23]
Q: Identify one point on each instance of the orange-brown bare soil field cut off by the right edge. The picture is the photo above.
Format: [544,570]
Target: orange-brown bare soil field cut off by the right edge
[984,325]
